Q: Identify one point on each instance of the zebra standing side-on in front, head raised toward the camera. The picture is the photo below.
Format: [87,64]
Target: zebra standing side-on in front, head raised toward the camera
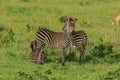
[60,40]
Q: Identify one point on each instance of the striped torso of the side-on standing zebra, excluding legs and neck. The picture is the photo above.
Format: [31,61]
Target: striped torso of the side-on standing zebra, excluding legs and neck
[51,39]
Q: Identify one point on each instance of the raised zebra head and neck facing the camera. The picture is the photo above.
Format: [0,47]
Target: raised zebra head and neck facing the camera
[69,26]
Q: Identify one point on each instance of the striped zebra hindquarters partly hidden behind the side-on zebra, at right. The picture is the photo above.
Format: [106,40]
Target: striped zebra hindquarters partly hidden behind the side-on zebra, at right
[79,41]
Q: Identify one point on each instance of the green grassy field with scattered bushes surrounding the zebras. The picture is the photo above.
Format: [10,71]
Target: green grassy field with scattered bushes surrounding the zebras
[20,19]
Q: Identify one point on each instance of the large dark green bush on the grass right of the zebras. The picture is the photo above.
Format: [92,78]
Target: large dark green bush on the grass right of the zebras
[102,53]
